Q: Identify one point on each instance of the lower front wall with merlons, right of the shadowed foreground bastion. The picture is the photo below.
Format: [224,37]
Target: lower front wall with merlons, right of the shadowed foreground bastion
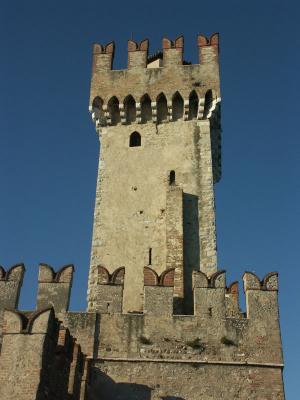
[137,360]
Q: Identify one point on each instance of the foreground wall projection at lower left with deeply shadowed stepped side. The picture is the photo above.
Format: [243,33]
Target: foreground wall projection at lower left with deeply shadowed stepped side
[42,357]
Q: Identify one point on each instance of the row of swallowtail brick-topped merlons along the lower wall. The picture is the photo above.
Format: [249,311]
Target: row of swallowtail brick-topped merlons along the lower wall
[210,292]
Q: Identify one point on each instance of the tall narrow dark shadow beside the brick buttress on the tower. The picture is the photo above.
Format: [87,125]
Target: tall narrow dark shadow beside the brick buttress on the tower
[191,245]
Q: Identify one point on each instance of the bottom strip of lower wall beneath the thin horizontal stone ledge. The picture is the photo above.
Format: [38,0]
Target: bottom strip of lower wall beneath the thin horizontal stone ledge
[182,381]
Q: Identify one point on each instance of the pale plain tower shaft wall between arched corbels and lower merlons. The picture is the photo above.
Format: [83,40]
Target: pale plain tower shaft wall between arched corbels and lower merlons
[130,210]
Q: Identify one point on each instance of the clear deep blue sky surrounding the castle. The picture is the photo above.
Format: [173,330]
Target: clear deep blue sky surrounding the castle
[49,148]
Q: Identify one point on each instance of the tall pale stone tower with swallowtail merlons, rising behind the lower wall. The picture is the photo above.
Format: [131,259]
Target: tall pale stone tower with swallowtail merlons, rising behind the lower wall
[159,128]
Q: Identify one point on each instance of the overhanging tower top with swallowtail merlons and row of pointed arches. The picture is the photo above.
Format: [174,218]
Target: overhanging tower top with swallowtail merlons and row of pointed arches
[159,88]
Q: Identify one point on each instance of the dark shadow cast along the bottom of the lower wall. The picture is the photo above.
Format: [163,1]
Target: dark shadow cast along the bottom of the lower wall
[105,388]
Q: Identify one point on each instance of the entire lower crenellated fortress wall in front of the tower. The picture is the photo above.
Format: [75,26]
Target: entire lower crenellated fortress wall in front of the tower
[216,353]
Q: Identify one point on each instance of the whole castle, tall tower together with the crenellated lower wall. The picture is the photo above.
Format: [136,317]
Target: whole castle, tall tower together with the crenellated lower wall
[162,324]
